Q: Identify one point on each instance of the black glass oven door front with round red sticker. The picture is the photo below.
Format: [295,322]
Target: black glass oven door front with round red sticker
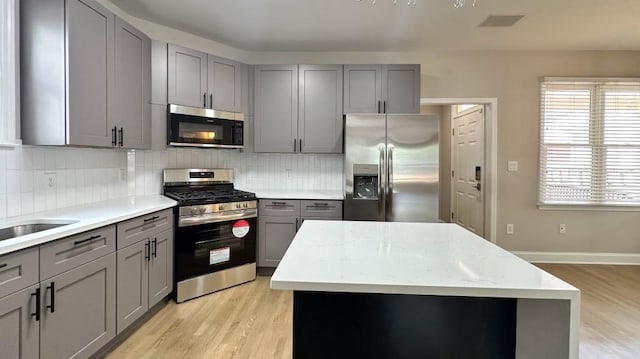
[204,249]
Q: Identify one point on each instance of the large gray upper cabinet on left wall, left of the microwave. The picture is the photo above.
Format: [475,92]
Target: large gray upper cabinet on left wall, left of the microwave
[85,77]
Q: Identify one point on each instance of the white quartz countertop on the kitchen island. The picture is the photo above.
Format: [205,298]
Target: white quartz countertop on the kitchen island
[409,258]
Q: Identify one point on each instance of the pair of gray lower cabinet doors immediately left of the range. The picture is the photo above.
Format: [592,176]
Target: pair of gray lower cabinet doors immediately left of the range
[145,276]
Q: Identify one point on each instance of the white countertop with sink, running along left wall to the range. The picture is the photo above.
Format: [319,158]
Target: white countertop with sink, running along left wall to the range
[85,218]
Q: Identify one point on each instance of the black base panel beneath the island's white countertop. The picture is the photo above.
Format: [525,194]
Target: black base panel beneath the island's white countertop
[361,325]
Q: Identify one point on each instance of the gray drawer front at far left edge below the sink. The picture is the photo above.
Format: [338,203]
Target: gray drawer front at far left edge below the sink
[18,271]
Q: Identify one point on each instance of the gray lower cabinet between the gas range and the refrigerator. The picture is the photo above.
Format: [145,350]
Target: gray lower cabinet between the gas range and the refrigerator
[279,220]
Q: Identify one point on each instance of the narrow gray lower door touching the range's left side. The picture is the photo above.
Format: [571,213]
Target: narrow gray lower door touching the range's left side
[160,267]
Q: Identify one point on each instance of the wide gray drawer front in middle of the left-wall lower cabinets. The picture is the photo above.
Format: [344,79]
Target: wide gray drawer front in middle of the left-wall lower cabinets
[68,253]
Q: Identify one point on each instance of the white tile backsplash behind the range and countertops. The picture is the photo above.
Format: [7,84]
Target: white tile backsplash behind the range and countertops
[37,178]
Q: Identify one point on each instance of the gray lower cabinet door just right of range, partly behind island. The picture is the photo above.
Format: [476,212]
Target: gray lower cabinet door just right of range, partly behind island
[274,236]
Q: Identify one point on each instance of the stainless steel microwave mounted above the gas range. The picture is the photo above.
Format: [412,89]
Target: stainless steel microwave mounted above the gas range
[203,127]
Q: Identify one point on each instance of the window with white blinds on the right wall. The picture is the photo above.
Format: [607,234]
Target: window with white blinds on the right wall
[589,142]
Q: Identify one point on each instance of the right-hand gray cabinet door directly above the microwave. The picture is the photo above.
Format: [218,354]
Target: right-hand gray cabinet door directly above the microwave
[224,84]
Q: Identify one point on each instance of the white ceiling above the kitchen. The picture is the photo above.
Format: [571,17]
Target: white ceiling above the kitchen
[347,25]
